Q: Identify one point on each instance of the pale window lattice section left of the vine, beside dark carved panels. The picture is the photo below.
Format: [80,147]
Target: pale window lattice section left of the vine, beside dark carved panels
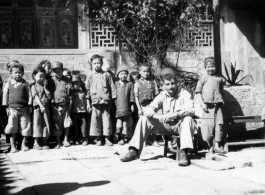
[102,36]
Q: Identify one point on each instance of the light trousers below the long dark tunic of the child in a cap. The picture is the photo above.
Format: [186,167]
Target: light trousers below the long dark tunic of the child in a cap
[125,123]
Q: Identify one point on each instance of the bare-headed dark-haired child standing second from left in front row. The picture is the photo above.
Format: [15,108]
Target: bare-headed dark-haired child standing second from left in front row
[41,99]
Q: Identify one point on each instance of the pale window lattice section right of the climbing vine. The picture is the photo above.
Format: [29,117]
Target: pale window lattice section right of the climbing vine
[204,36]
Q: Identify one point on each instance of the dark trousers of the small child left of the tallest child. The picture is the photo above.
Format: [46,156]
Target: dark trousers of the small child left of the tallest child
[80,124]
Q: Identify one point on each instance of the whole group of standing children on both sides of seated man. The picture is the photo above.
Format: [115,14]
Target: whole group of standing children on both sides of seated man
[62,103]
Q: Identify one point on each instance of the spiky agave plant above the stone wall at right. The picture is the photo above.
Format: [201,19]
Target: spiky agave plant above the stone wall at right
[234,75]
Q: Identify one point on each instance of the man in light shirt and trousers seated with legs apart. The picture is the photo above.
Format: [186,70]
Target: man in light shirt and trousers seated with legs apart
[177,108]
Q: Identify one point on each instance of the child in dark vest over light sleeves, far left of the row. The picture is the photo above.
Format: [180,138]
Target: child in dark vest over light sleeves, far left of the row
[18,100]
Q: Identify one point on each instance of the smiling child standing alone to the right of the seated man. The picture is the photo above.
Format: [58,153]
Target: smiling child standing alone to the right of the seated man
[209,91]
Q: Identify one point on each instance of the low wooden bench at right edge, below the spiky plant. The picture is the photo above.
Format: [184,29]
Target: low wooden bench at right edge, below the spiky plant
[241,119]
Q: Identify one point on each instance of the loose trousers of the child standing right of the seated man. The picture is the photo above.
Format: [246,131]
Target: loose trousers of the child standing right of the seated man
[212,127]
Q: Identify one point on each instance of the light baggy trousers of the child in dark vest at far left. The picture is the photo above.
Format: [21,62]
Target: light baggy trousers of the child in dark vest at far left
[18,120]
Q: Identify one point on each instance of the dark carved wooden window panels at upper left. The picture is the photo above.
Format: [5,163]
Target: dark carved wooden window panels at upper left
[37,24]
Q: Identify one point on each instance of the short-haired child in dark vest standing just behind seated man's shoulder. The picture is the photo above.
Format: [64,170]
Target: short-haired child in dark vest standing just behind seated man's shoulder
[145,90]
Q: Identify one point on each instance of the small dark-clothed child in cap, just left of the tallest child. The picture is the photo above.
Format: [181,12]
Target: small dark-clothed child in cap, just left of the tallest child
[79,112]
